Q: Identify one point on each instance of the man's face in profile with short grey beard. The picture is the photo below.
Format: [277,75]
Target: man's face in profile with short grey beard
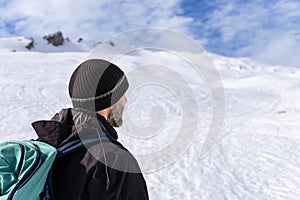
[115,116]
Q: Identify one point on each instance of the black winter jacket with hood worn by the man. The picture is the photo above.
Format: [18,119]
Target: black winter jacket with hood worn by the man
[104,171]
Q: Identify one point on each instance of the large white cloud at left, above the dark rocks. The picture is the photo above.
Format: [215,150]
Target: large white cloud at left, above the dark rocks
[91,19]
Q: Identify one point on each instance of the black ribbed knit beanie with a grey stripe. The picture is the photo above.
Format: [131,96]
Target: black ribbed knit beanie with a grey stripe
[97,84]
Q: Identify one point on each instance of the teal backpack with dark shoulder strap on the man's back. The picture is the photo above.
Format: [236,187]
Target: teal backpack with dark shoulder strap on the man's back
[25,167]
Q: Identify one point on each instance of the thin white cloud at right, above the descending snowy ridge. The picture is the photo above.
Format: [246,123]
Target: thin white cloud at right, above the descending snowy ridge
[268,30]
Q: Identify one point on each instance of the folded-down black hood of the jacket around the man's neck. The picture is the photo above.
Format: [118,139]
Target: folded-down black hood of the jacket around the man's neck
[70,124]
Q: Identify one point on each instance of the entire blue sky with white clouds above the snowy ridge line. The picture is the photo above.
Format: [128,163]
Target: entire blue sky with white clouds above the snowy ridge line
[268,30]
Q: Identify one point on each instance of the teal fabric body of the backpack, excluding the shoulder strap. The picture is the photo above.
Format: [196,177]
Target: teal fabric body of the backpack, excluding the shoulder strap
[24,167]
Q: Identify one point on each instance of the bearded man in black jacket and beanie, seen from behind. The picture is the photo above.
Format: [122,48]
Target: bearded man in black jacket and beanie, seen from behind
[105,170]
